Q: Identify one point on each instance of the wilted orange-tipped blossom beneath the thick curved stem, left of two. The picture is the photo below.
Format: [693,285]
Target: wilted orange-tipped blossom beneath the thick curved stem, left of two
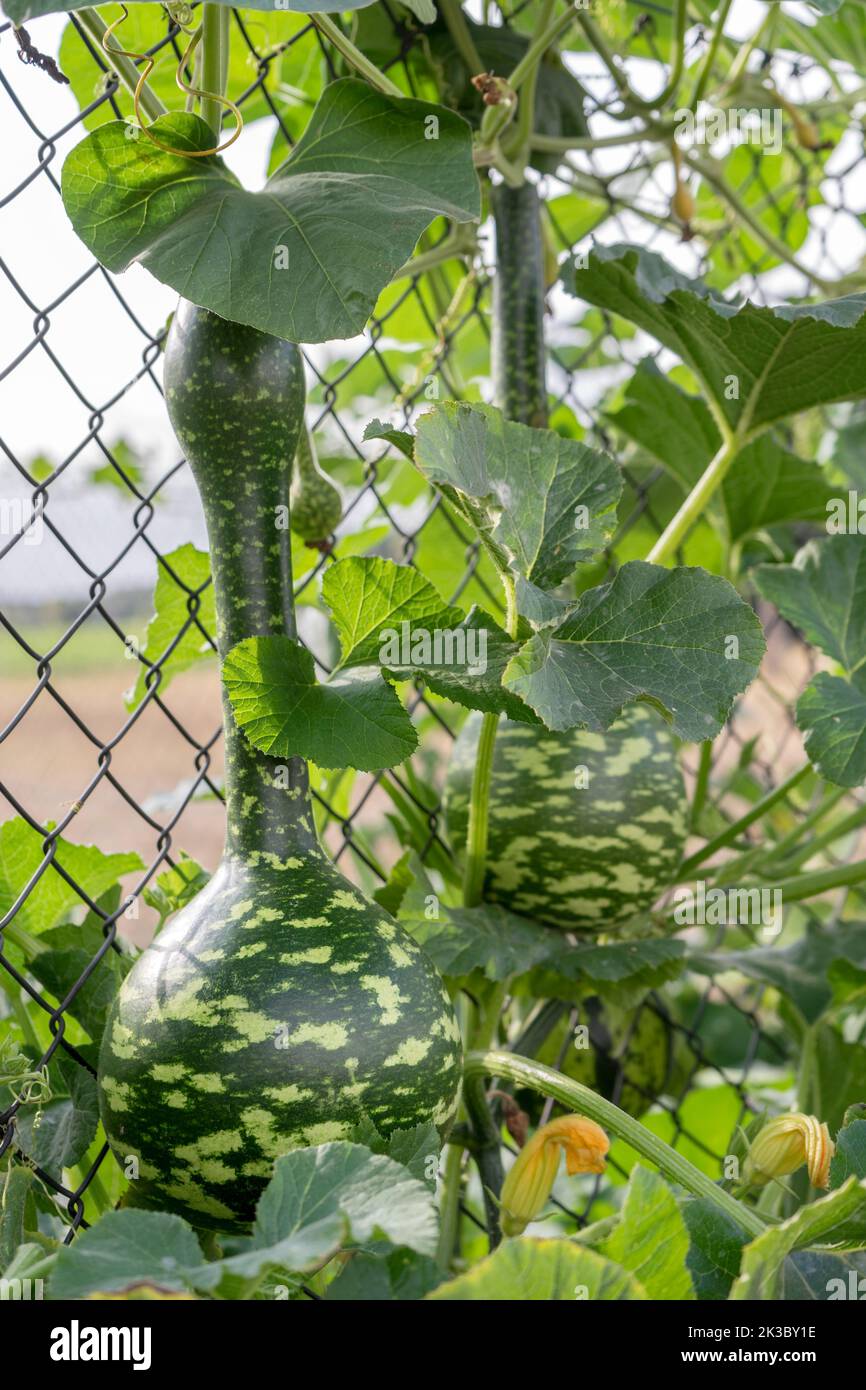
[534,1171]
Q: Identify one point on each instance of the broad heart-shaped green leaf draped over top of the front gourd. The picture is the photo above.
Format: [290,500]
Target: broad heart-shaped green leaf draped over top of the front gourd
[308,256]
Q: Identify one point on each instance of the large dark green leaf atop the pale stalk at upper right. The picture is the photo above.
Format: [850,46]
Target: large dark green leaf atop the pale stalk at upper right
[758,365]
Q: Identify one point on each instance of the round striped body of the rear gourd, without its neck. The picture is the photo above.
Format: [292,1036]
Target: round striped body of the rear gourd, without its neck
[586,831]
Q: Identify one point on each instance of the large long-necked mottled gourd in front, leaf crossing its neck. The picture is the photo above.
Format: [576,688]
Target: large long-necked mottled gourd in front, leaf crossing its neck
[281,1006]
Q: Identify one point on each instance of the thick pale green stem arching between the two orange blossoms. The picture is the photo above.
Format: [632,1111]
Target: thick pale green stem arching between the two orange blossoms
[585,1102]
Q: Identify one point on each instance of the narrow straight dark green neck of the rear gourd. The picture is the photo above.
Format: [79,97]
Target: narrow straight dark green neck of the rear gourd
[519,306]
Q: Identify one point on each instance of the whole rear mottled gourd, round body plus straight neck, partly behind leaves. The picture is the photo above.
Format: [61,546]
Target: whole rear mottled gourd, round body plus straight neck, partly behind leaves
[586,829]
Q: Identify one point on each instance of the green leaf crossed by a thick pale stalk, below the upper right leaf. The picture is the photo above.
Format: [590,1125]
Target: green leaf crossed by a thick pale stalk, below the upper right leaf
[765,487]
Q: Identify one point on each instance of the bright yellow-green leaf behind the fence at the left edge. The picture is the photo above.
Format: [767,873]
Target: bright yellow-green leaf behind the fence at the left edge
[54,899]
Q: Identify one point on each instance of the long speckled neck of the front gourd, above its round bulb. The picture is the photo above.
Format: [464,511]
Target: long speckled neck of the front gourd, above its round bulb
[236,398]
